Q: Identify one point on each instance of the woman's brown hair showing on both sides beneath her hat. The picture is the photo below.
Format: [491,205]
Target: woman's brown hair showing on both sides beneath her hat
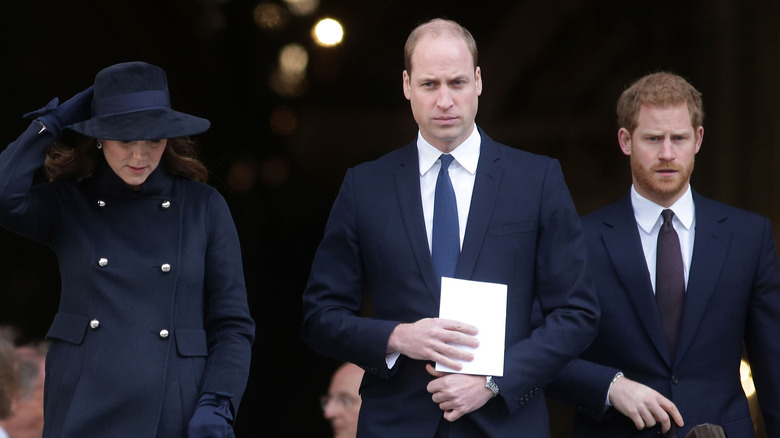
[79,161]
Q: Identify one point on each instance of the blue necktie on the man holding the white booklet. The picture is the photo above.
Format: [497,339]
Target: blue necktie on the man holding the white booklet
[445,242]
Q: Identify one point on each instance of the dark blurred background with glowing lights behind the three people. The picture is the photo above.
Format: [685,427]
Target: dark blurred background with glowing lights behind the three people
[292,109]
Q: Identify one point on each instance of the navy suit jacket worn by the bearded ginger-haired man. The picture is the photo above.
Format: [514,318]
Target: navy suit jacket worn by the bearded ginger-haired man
[732,299]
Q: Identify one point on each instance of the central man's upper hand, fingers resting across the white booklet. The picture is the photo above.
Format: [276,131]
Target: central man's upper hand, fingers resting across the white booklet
[434,339]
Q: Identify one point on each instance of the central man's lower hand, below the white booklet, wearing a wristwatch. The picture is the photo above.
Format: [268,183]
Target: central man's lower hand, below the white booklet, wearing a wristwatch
[457,394]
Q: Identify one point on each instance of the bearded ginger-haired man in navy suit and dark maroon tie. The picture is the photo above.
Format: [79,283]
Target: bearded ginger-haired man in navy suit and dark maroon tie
[632,381]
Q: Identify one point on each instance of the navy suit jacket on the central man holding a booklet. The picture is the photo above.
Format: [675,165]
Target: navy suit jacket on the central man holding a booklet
[522,231]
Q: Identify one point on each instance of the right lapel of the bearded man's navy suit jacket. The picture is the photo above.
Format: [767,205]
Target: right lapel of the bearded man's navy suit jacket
[709,253]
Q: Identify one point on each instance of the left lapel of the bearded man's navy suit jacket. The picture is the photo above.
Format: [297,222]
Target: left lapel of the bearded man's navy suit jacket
[621,239]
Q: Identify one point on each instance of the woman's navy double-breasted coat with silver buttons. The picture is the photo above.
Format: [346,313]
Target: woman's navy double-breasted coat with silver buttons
[153,308]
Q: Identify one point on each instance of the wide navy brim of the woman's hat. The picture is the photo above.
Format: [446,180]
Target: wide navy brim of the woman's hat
[152,124]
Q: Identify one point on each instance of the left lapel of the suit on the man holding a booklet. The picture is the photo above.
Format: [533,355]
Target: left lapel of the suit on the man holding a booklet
[407,181]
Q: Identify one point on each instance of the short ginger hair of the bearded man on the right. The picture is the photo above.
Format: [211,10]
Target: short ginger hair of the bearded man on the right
[661,90]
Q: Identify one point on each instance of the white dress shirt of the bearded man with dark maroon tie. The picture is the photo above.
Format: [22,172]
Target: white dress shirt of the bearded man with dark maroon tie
[649,221]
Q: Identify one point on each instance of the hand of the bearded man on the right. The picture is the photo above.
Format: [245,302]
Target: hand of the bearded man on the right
[643,405]
